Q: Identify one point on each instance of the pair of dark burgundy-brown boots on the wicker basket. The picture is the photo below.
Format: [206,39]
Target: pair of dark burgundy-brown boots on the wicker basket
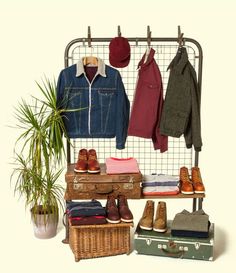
[119,212]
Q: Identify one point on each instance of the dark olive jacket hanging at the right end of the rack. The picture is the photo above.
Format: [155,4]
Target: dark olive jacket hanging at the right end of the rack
[181,110]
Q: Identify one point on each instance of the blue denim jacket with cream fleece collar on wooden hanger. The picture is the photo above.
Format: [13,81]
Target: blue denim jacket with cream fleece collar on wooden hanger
[104,102]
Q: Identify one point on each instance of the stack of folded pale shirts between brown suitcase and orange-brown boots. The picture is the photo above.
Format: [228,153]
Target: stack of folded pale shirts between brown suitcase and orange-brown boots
[160,184]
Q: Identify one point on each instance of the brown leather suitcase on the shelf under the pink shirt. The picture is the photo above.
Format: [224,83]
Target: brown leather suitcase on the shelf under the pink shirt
[99,186]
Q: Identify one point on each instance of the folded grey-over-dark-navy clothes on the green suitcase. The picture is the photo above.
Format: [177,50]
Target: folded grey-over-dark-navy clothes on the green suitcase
[195,224]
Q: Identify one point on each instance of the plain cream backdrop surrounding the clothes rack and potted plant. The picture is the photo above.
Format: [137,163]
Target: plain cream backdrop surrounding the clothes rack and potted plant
[33,36]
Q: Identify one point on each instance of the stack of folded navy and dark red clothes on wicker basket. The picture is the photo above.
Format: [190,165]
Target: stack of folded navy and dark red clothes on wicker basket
[86,213]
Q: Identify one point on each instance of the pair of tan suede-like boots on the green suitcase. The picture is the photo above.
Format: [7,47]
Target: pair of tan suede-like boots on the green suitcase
[160,222]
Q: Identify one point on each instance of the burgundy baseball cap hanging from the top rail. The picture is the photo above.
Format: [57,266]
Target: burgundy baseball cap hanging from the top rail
[119,52]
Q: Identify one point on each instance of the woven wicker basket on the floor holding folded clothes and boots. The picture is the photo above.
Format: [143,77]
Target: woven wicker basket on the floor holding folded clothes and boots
[91,241]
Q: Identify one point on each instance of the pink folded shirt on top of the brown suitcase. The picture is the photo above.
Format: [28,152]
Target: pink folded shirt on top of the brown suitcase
[121,165]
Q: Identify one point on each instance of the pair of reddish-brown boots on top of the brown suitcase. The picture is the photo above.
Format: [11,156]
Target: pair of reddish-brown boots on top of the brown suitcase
[87,162]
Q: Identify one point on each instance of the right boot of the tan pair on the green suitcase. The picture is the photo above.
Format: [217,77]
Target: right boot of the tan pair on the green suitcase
[160,222]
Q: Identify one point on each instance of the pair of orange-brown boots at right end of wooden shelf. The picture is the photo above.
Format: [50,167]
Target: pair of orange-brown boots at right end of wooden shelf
[195,185]
